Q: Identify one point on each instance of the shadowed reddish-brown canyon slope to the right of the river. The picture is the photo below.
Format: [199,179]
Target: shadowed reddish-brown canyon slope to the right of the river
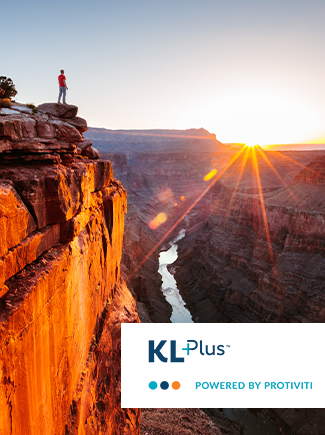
[251,266]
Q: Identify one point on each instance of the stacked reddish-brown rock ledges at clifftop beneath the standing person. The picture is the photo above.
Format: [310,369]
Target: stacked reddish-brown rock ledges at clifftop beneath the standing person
[53,134]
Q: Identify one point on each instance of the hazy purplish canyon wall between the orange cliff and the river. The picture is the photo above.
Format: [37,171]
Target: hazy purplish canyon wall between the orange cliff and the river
[163,171]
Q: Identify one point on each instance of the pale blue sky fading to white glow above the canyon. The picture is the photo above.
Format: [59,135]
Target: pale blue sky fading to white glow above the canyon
[250,71]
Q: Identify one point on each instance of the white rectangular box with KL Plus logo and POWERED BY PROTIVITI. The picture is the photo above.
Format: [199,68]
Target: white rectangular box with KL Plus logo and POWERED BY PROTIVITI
[286,360]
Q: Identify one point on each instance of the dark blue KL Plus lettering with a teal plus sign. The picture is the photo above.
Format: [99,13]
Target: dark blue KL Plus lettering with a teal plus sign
[160,350]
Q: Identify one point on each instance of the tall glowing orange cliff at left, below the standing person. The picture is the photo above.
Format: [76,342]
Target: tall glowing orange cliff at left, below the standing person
[62,298]
